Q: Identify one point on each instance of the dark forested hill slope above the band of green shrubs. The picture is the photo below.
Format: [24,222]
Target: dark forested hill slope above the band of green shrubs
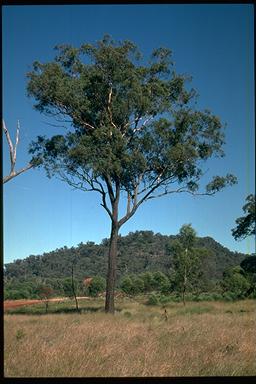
[138,252]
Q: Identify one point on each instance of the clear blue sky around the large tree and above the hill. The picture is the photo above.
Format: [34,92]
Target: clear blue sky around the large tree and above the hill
[213,43]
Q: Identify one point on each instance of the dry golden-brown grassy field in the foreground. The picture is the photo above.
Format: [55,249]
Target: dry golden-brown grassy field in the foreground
[200,339]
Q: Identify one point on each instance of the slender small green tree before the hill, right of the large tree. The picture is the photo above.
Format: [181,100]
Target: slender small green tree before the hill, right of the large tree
[186,259]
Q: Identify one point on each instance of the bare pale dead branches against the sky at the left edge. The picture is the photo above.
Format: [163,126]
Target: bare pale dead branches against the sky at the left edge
[13,154]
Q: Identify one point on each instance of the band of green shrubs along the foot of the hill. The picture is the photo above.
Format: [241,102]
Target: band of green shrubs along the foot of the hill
[235,284]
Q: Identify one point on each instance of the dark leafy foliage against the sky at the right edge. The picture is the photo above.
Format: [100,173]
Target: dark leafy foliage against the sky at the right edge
[246,224]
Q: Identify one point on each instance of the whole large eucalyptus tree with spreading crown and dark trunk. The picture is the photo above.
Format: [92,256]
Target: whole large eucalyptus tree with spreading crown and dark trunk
[134,132]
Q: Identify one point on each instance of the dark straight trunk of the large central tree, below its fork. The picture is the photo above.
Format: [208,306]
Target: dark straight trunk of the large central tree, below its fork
[111,276]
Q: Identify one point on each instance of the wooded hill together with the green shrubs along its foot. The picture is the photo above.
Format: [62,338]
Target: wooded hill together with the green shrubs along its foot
[145,265]
